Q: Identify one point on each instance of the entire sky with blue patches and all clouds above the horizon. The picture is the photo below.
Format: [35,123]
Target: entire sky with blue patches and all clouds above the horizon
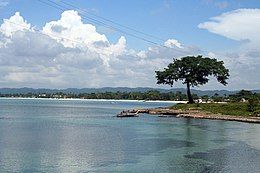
[114,43]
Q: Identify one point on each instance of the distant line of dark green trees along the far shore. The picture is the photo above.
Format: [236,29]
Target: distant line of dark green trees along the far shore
[149,95]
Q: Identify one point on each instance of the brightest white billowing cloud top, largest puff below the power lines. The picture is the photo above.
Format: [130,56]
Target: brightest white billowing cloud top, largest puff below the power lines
[70,31]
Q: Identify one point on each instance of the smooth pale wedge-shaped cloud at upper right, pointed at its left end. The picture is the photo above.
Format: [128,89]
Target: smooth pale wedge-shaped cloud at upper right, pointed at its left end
[240,25]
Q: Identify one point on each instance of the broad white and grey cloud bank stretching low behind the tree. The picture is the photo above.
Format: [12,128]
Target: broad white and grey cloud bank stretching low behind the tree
[87,58]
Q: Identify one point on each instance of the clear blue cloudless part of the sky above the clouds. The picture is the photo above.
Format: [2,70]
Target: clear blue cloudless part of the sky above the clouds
[163,18]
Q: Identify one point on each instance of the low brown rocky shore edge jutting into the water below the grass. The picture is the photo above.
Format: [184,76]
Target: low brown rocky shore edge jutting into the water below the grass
[167,112]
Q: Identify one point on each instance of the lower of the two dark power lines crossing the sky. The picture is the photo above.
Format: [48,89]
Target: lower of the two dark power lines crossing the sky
[62,8]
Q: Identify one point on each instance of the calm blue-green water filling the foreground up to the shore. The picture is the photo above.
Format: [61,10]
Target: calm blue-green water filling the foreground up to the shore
[84,136]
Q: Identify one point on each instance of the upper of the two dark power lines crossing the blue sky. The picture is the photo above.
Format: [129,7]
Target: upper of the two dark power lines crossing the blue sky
[111,21]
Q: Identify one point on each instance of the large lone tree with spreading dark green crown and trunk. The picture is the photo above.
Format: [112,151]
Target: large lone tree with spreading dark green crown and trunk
[192,71]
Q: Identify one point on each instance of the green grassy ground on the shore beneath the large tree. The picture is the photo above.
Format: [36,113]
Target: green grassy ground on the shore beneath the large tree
[237,109]
